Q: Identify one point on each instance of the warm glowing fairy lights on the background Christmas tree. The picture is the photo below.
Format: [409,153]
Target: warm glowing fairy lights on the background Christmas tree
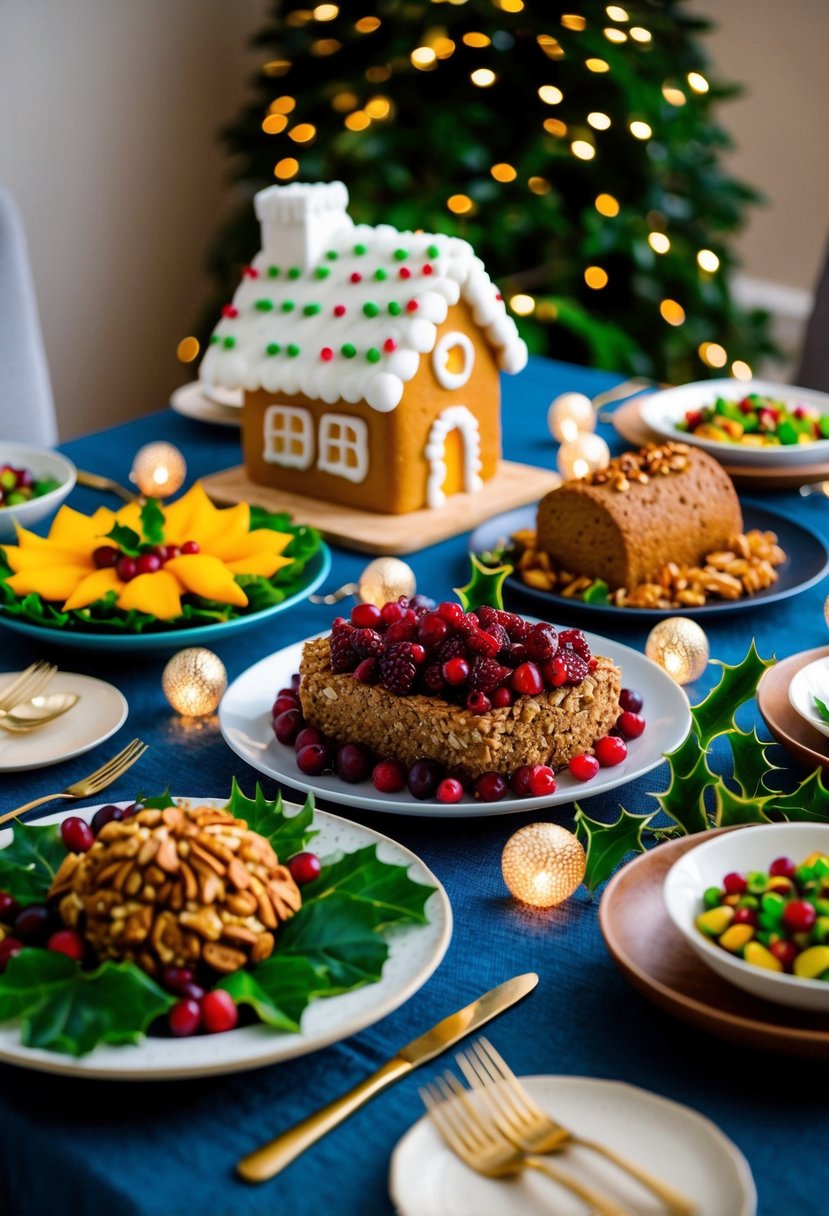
[437,48]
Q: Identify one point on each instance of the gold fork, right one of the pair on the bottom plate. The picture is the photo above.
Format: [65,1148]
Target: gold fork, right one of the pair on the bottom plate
[533,1130]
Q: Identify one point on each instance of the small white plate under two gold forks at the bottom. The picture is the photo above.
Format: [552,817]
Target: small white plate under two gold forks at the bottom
[672,1141]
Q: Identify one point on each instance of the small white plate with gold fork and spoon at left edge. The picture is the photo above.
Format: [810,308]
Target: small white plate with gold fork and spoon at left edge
[98,716]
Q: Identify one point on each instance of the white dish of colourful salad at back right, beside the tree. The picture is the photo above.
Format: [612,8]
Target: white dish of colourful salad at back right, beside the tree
[663,410]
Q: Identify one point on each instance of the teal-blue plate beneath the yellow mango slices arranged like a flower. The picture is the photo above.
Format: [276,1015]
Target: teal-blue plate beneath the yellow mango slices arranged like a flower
[317,572]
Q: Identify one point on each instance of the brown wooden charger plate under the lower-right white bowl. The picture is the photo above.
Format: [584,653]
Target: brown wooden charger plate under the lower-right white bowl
[655,958]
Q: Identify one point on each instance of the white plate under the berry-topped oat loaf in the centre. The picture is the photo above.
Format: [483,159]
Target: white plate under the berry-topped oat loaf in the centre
[245,717]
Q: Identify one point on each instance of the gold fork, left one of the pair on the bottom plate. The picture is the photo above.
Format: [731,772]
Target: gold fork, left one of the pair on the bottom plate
[473,1136]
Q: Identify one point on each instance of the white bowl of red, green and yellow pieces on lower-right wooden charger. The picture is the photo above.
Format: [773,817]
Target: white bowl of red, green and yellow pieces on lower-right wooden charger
[752,848]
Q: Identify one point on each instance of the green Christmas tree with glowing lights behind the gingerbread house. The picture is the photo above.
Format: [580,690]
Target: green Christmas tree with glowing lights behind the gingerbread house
[576,150]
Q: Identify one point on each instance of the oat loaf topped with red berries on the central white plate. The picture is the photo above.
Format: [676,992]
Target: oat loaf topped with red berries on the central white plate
[481,693]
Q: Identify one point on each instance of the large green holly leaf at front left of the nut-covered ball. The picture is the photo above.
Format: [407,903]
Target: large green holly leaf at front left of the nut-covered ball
[67,1010]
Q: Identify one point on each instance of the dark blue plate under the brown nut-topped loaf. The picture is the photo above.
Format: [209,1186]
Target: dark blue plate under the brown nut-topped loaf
[807,565]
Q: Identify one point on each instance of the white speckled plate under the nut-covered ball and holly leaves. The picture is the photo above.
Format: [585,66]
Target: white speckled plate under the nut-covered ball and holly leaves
[415,952]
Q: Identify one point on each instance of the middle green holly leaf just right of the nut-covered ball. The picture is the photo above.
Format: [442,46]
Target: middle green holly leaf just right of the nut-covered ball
[337,934]
